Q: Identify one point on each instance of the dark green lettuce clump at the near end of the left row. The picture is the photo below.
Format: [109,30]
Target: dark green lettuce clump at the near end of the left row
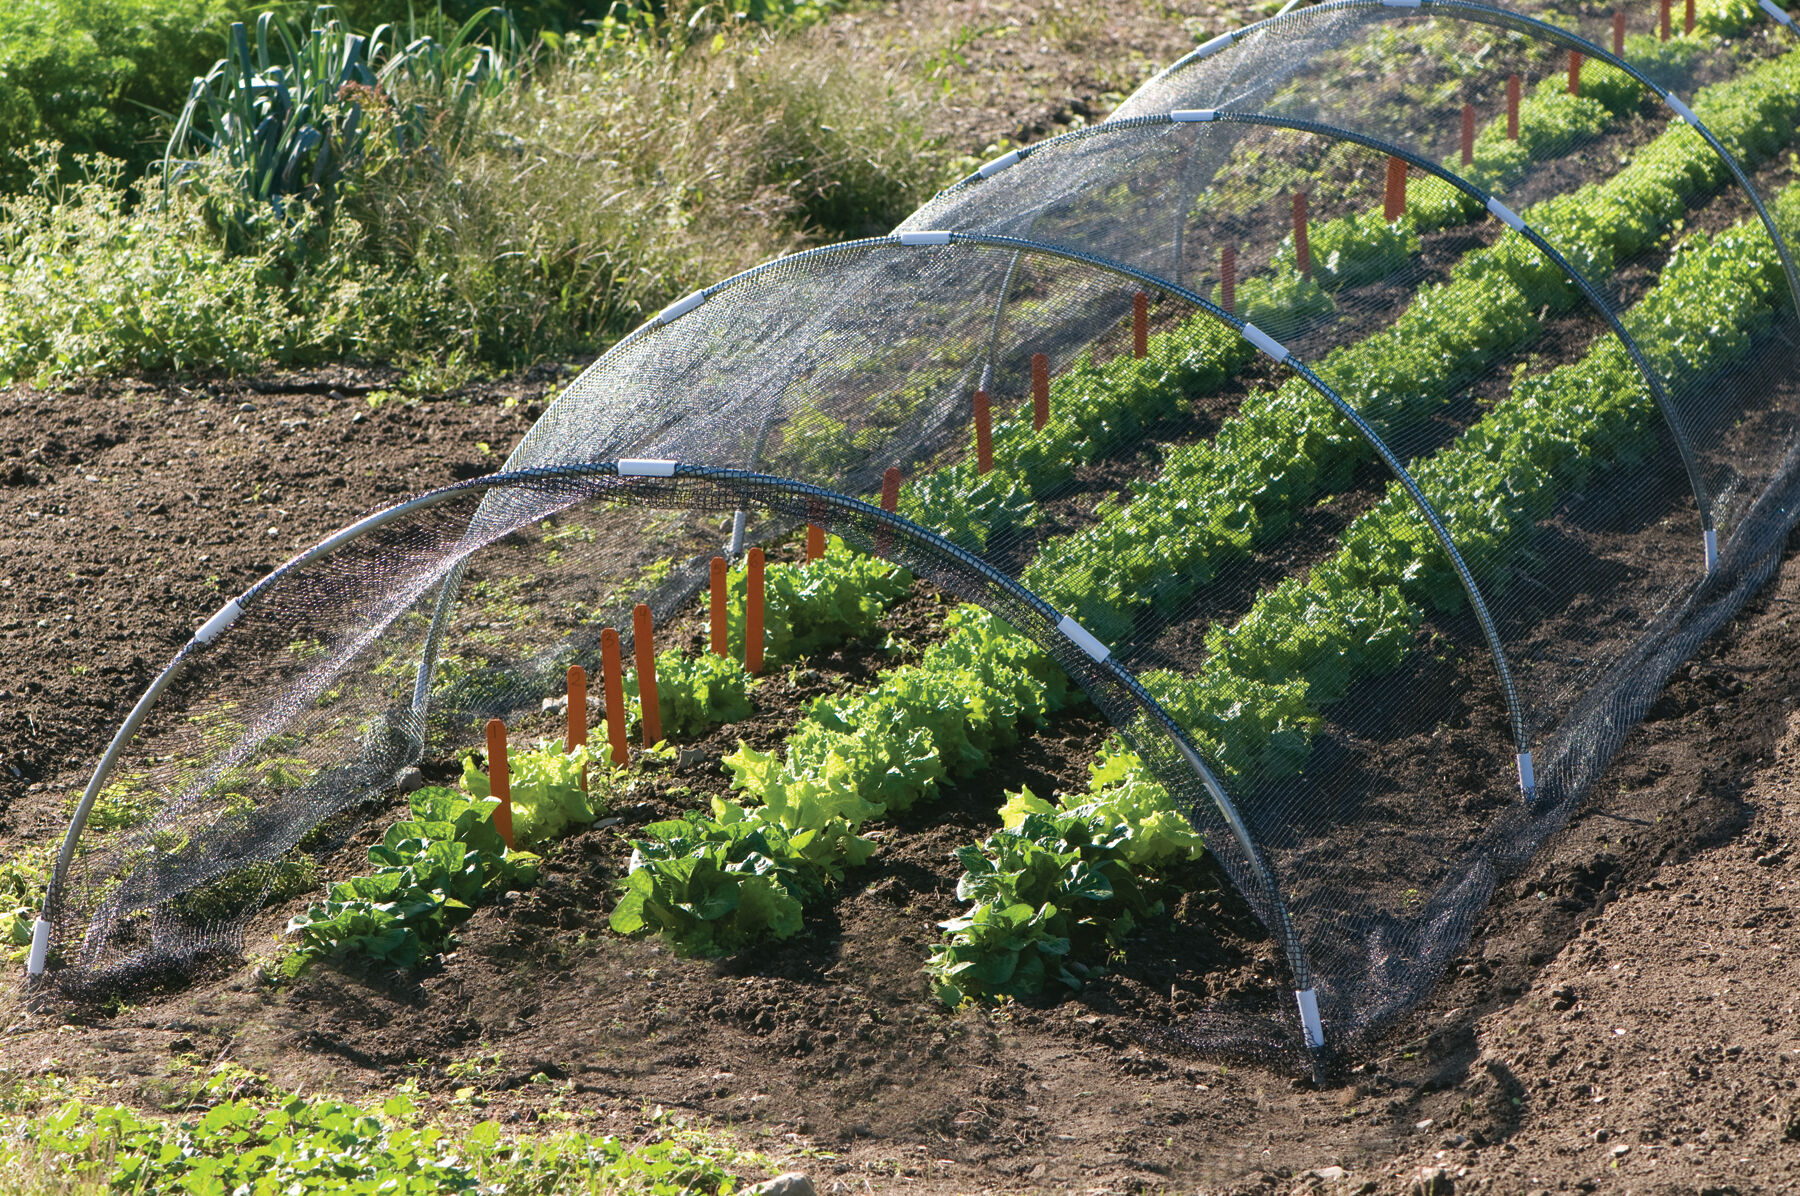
[429,873]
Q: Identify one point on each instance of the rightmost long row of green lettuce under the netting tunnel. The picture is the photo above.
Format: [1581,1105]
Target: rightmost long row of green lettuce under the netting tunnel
[1054,874]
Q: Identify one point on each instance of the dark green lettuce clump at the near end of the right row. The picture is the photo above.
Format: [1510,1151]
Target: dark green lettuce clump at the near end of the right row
[1045,891]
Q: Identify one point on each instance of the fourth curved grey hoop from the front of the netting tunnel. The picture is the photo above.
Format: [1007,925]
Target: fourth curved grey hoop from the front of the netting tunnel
[1520,23]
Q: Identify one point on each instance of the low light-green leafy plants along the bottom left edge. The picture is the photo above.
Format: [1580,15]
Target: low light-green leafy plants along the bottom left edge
[256,1139]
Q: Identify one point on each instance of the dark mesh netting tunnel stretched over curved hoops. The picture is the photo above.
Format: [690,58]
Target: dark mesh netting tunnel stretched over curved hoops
[1381,390]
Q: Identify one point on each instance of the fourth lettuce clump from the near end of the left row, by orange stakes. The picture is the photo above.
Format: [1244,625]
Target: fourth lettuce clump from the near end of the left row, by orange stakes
[809,608]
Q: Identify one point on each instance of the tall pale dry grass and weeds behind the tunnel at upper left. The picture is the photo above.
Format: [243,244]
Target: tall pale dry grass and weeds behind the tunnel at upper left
[543,222]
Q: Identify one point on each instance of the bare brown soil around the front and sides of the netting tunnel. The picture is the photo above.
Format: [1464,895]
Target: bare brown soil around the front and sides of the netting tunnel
[1633,990]
